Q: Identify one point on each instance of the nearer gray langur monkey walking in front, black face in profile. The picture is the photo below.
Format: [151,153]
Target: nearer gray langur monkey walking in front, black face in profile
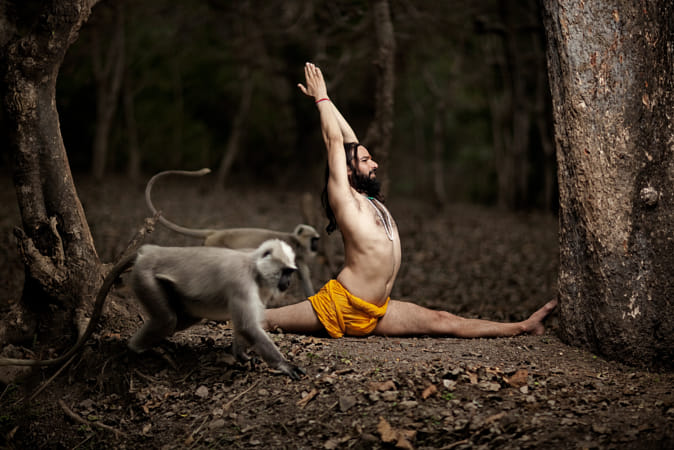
[178,286]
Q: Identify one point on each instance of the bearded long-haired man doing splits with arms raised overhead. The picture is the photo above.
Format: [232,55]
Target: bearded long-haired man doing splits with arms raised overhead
[357,303]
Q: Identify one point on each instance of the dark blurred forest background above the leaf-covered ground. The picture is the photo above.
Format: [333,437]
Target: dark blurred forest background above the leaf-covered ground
[162,85]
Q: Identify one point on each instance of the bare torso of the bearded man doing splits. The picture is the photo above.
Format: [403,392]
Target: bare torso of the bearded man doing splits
[372,259]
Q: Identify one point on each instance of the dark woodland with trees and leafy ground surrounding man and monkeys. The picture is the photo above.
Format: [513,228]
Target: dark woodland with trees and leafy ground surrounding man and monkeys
[506,194]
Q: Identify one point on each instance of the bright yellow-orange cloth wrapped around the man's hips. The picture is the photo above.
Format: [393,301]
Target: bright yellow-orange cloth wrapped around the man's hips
[342,313]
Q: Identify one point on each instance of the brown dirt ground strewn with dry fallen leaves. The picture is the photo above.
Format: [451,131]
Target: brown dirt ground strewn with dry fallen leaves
[522,392]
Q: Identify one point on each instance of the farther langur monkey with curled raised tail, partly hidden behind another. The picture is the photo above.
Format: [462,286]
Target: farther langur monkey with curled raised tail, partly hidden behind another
[303,239]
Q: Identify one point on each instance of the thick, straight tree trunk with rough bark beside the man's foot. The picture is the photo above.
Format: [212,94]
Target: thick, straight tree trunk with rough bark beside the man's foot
[611,69]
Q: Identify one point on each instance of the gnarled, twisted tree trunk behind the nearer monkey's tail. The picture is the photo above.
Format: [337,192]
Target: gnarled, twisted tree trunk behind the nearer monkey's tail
[62,267]
